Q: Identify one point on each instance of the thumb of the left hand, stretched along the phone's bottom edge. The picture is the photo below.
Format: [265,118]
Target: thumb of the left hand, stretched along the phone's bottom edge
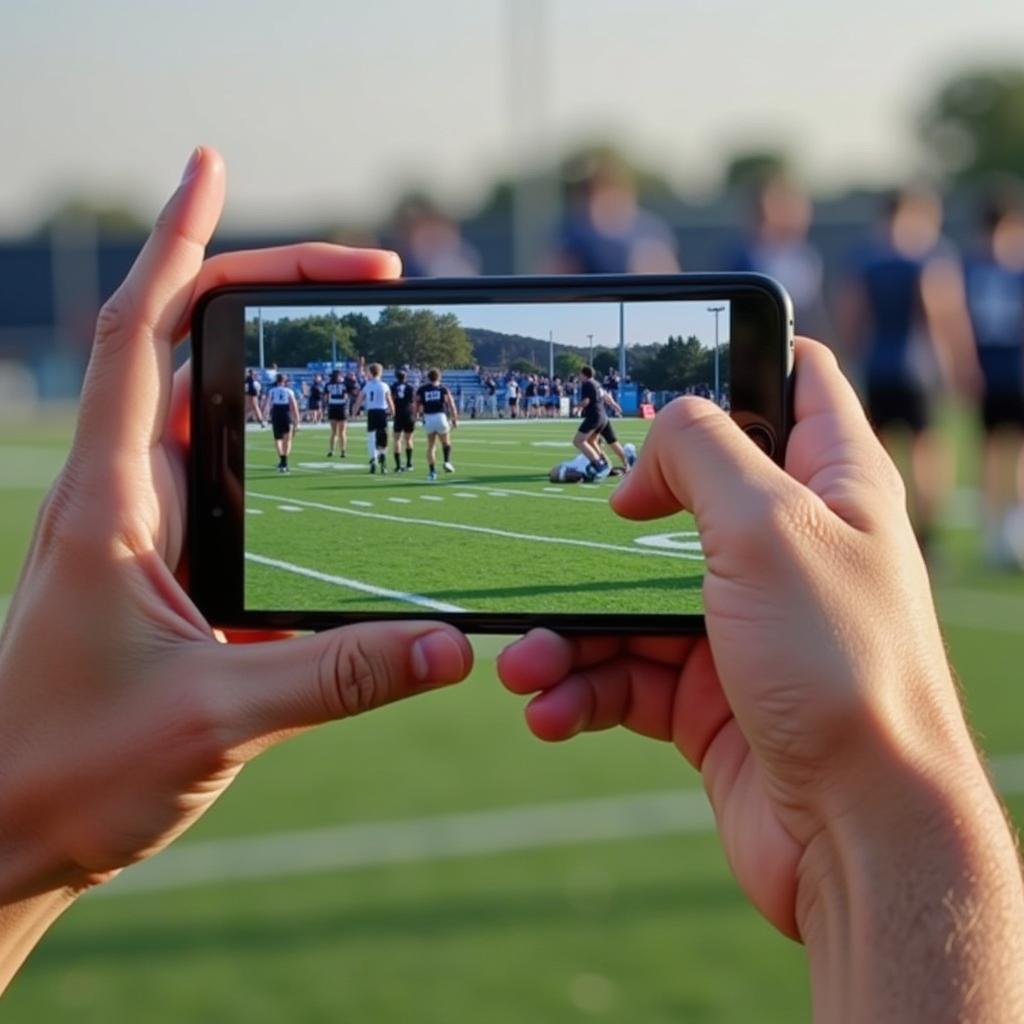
[273,690]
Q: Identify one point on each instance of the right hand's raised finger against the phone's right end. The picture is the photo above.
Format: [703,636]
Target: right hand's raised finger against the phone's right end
[833,449]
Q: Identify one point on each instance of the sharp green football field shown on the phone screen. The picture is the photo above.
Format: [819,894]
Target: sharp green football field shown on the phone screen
[495,536]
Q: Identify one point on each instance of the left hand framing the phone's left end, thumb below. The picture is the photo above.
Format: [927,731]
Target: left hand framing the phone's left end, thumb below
[123,719]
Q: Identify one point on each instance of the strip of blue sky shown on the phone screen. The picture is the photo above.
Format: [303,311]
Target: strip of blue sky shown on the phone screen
[569,322]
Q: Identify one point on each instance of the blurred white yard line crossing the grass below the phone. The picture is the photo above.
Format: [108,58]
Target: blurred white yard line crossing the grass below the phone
[444,837]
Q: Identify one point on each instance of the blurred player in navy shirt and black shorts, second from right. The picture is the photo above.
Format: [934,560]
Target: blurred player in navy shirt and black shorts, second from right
[905,313]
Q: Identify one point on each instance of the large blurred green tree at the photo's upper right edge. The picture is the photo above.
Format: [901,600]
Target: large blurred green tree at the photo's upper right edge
[973,124]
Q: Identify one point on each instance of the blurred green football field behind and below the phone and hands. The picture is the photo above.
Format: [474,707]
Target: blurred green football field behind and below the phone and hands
[433,863]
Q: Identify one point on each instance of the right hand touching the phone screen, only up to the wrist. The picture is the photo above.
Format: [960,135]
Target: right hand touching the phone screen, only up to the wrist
[821,706]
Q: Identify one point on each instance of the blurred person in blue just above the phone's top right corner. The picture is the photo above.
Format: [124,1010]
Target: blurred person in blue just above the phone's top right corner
[778,246]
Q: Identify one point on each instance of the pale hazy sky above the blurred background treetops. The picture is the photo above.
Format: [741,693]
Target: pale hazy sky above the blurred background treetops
[332,108]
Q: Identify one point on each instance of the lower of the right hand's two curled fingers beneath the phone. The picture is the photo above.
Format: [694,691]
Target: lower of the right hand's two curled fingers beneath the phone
[623,692]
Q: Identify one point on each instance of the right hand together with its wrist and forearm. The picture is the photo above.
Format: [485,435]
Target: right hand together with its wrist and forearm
[820,709]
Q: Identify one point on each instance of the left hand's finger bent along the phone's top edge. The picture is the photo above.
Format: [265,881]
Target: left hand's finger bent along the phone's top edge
[288,265]
